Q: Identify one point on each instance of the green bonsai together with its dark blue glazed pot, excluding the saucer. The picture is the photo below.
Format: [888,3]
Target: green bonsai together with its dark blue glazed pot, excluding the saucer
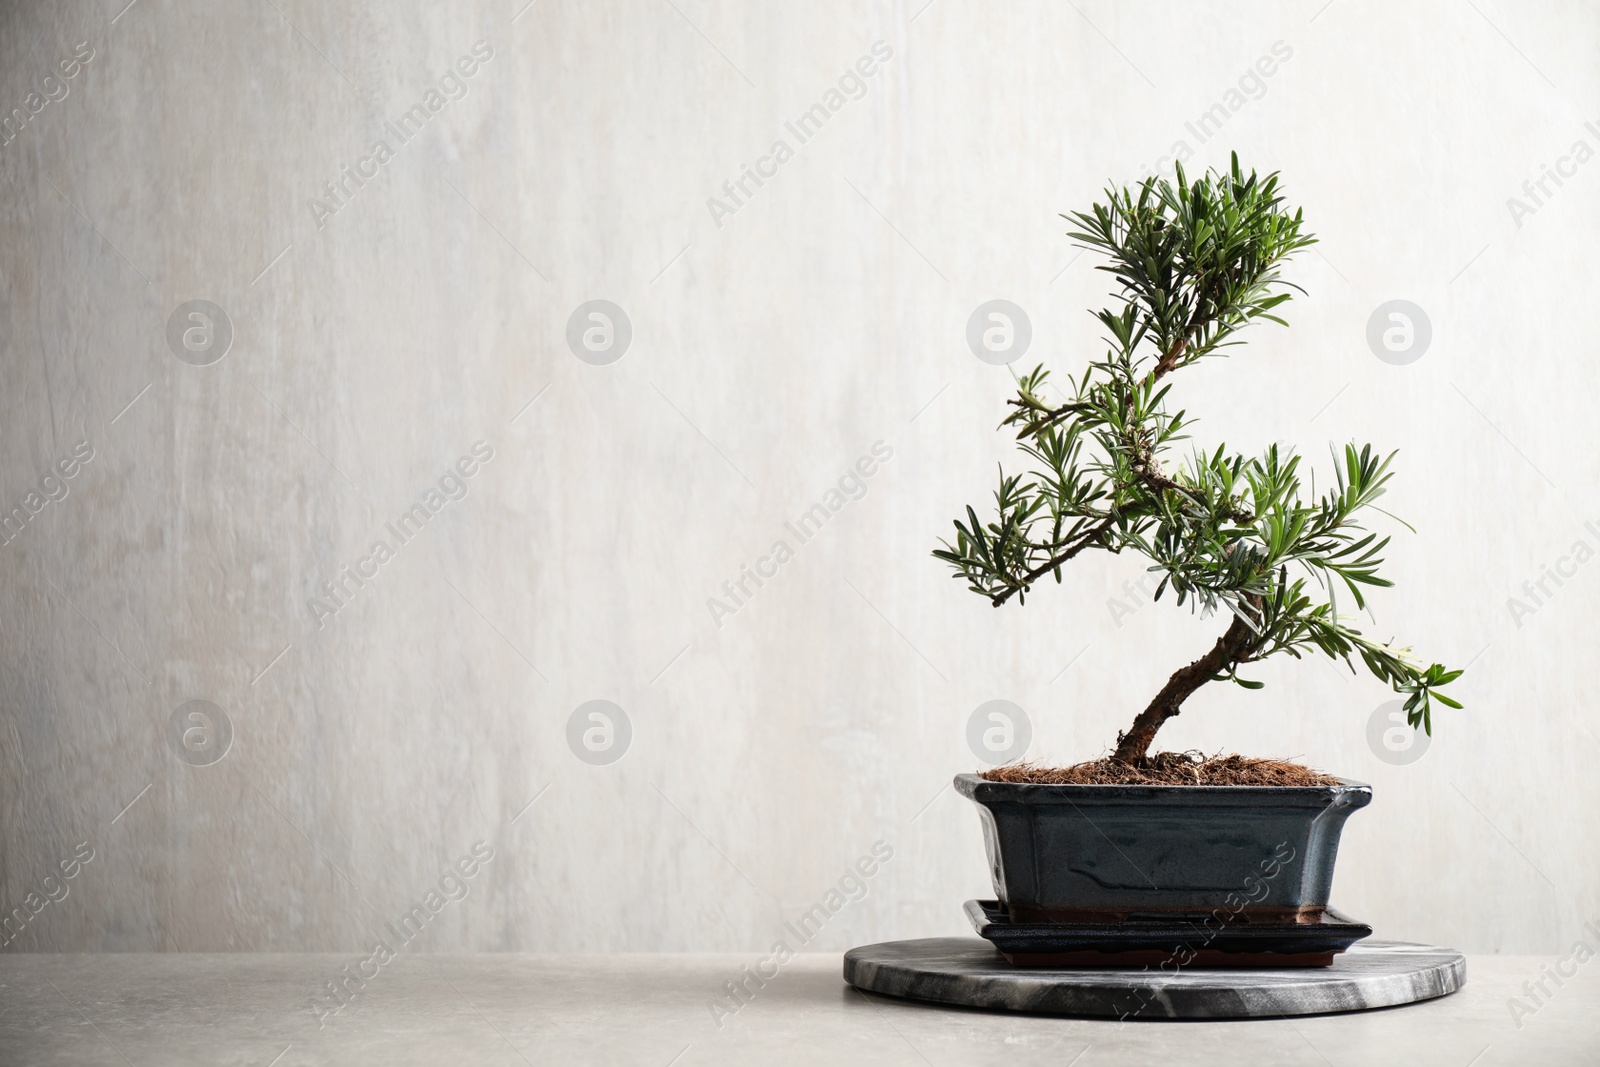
[1138,834]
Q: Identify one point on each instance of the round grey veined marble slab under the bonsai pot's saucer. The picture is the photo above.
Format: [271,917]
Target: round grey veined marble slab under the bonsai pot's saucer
[972,973]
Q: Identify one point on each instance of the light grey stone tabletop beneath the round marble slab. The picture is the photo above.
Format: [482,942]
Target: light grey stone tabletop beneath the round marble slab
[662,1010]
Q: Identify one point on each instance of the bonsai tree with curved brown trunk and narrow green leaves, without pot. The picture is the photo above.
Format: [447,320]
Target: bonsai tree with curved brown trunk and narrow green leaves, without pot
[1196,263]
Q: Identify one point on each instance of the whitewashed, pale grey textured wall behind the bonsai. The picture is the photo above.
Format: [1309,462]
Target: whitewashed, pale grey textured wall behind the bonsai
[377,342]
